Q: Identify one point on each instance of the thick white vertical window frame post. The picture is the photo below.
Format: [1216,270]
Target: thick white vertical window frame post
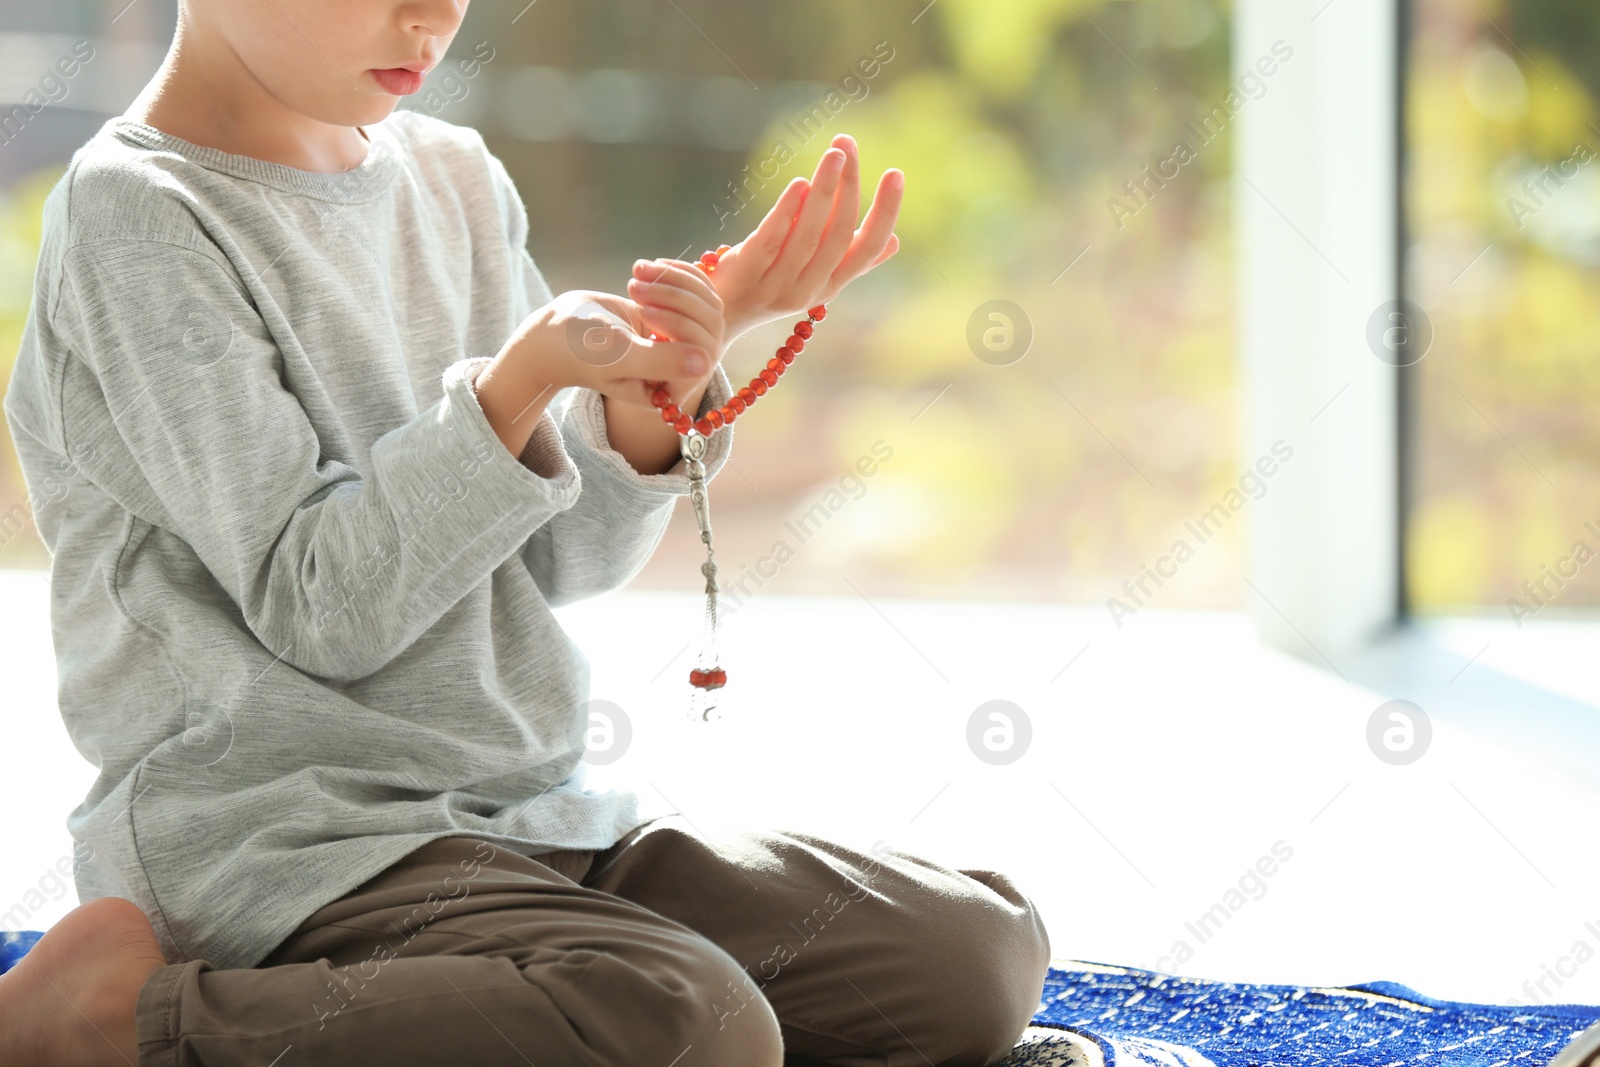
[1319,238]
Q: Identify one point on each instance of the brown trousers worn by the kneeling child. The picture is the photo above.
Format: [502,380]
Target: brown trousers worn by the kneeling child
[670,949]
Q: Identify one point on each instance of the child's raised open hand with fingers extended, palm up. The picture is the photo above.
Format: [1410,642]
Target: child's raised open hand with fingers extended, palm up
[809,247]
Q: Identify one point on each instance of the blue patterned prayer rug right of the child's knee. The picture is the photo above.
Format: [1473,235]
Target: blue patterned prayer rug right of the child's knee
[1111,1017]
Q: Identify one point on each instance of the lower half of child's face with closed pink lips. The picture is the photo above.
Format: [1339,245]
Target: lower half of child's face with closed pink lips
[319,57]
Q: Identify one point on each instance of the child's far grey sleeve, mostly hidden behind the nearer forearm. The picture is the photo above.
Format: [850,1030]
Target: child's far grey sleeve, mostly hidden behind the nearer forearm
[609,535]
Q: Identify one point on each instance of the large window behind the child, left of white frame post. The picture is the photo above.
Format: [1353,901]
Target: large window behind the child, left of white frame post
[1044,382]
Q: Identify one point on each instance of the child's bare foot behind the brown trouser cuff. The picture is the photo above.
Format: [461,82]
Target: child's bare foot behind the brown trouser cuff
[71,1001]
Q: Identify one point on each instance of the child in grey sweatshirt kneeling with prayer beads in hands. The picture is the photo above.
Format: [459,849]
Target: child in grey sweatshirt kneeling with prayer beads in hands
[334,452]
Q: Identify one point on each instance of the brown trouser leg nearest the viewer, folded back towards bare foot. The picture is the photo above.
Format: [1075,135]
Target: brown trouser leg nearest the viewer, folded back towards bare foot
[465,954]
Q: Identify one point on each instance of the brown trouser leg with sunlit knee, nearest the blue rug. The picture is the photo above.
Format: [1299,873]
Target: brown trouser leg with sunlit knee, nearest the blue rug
[866,957]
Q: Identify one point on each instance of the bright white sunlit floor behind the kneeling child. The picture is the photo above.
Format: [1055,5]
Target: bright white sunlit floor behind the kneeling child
[1166,761]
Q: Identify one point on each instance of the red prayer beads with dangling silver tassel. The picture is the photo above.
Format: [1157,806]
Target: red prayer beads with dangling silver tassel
[708,676]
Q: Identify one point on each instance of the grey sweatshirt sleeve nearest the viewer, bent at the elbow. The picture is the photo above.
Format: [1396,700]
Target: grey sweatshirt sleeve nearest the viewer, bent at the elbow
[177,385]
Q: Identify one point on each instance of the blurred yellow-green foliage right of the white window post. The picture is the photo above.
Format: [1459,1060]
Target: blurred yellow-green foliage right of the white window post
[1503,201]
